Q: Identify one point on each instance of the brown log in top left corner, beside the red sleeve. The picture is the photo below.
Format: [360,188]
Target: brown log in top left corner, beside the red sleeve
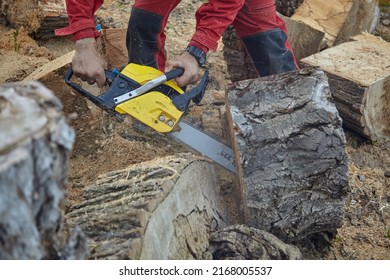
[39,18]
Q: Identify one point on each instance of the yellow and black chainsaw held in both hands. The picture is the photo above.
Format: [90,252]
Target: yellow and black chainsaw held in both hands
[153,98]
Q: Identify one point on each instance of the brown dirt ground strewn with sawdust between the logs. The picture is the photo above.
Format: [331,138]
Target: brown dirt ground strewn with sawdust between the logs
[104,143]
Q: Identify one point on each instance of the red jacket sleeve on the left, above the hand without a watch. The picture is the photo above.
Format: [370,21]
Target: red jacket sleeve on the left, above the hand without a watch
[81,19]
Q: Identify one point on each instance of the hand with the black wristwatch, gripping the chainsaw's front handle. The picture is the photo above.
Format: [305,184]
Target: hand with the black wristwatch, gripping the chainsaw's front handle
[190,66]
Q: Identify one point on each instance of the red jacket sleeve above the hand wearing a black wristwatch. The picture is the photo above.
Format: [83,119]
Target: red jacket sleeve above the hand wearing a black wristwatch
[212,19]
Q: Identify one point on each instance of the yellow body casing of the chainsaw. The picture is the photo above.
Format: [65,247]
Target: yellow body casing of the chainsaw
[154,108]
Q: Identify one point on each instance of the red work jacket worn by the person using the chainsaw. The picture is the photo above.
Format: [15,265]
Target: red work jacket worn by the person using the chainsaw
[212,19]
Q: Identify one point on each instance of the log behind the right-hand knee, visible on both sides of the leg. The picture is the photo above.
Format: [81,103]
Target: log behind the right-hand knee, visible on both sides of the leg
[304,41]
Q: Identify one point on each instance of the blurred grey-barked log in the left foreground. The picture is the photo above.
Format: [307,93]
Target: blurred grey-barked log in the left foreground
[34,148]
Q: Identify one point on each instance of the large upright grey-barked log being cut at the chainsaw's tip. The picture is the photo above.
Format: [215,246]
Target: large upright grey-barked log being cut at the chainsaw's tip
[290,149]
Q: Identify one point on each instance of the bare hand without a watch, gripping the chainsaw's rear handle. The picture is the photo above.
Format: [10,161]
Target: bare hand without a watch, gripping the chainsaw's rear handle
[87,63]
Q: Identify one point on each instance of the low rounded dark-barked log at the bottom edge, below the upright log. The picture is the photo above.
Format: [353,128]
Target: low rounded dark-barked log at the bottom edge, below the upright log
[240,242]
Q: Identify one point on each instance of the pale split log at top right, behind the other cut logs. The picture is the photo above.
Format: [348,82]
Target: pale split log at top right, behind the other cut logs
[338,19]
